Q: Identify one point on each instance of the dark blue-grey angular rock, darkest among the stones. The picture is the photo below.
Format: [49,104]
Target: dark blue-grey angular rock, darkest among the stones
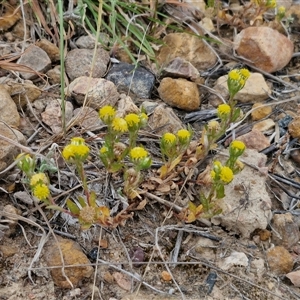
[139,80]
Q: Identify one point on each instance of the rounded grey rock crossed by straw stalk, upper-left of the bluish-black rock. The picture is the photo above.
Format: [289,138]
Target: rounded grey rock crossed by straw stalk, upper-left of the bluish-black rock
[79,62]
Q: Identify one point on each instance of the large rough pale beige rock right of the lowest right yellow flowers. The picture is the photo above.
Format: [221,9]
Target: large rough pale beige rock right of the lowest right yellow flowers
[247,204]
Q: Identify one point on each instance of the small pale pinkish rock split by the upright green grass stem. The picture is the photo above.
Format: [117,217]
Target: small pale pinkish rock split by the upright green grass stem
[52,116]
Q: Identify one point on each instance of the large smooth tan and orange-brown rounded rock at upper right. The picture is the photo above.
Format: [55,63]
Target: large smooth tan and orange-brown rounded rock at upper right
[265,47]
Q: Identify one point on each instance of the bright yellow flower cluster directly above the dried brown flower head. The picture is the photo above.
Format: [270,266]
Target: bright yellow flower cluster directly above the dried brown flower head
[76,150]
